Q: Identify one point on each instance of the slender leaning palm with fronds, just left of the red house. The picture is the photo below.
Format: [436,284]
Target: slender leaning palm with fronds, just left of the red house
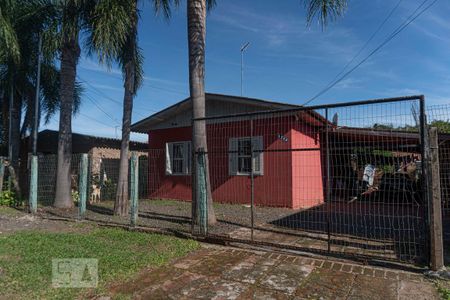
[124,49]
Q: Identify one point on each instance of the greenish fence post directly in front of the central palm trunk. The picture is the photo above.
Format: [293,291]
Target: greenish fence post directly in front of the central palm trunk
[201,192]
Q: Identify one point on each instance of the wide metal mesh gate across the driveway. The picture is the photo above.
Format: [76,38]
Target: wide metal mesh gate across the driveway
[341,179]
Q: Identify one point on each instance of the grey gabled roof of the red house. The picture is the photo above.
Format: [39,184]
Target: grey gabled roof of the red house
[247,105]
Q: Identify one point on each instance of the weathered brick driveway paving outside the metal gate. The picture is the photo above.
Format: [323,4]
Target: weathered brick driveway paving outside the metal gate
[224,273]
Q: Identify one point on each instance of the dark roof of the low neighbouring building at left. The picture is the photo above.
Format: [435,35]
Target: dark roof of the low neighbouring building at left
[81,143]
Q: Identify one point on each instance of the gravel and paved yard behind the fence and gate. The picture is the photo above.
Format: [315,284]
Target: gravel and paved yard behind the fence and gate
[356,228]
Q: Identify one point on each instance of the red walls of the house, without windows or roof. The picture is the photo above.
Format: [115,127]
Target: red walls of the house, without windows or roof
[291,179]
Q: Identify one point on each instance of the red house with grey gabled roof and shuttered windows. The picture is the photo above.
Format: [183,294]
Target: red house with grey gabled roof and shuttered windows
[287,152]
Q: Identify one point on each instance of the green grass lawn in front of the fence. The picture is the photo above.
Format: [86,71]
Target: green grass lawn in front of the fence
[26,258]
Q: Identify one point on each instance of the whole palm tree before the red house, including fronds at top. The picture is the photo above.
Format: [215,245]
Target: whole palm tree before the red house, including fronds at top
[323,10]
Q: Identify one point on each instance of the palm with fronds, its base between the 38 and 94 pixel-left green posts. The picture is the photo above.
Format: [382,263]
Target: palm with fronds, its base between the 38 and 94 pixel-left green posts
[78,15]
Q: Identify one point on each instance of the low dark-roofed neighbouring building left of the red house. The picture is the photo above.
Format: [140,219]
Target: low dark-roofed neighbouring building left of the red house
[104,154]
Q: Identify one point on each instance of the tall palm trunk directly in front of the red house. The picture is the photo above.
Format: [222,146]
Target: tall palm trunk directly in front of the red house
[196,38]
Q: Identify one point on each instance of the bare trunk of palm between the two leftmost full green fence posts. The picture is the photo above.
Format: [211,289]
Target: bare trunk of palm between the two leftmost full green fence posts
[70,53]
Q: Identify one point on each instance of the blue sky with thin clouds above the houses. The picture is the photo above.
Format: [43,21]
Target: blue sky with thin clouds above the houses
[286,61]
